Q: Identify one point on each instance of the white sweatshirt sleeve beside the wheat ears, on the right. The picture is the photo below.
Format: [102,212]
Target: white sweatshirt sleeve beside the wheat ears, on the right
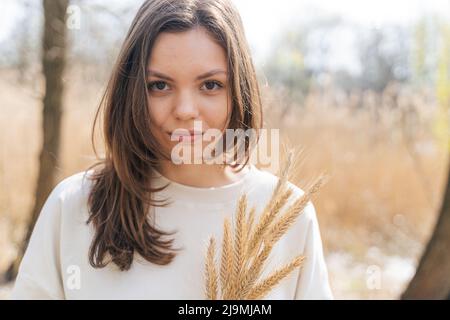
[313,283]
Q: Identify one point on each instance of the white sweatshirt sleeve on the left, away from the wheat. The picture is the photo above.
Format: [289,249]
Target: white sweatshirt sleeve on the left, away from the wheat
[39,275]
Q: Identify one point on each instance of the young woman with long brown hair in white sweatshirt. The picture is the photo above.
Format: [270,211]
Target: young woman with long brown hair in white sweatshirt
[137,227]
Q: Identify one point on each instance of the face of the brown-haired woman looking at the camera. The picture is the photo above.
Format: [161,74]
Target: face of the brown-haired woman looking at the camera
[187,82]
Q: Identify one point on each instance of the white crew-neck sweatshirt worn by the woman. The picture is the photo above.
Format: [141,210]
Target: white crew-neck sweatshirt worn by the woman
[56,264]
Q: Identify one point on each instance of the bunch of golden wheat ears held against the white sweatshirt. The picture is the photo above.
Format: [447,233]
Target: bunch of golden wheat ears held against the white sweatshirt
[246,248]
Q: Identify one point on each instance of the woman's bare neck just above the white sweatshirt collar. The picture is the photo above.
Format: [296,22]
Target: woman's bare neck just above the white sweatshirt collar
[201,175]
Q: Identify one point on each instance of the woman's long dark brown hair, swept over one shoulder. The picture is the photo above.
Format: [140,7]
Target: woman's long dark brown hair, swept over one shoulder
[120,199]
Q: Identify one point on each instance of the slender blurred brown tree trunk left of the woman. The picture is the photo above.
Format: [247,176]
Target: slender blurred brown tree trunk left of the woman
[53,62]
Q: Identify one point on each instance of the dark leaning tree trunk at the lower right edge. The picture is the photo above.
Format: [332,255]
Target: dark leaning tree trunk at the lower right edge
[432,278]
